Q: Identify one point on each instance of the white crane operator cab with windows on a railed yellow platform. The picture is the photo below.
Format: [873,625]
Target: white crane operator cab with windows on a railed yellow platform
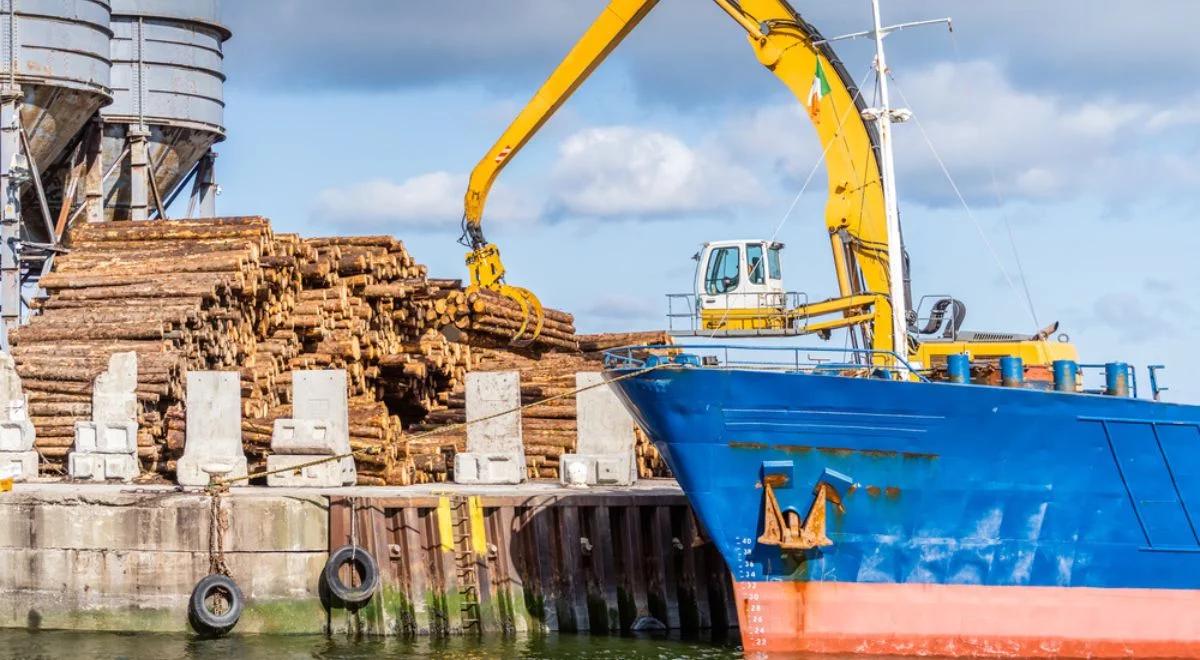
[739,290]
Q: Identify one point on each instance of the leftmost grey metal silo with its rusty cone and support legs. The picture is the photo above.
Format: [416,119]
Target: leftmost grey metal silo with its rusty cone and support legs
[56,76]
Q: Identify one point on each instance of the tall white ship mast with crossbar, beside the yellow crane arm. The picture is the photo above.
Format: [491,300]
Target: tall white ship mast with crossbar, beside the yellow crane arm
[884,118]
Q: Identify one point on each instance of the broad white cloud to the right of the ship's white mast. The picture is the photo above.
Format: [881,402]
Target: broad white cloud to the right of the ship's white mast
[1003,141]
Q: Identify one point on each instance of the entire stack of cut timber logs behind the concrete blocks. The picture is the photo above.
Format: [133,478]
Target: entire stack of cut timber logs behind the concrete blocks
[230,295]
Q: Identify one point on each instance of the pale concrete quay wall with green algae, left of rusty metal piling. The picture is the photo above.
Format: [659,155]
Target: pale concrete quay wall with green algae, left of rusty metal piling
[98,557]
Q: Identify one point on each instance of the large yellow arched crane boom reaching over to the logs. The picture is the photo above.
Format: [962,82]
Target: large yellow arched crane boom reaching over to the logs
[794,52]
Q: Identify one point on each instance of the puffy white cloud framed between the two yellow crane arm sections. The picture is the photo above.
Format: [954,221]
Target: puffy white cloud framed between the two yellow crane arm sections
[625,171]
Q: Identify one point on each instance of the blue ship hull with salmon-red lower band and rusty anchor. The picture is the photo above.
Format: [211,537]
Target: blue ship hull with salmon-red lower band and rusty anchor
[962,495]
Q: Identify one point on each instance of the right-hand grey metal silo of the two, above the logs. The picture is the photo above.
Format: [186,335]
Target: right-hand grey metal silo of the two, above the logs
[169,107]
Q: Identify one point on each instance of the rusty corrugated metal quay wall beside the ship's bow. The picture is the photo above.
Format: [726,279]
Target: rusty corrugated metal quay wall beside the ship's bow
[580,562]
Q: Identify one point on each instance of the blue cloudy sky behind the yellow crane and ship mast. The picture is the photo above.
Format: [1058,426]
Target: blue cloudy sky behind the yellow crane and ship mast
[1071,129]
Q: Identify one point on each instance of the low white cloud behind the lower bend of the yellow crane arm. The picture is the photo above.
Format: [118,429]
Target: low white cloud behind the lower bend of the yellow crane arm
[429,202]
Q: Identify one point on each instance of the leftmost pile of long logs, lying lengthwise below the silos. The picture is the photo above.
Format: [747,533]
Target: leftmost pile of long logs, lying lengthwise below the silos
[182,296]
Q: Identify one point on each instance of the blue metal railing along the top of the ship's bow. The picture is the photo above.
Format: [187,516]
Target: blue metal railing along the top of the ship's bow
[853,363]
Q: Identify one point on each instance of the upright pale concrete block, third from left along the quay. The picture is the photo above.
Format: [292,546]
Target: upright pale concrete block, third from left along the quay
[214,429]
